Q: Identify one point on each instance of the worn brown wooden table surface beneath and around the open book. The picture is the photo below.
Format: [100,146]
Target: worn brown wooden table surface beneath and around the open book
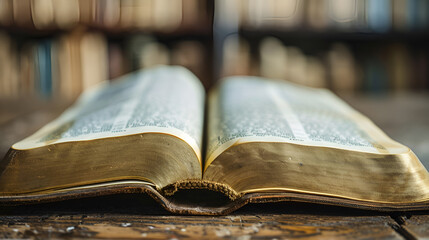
[404,117]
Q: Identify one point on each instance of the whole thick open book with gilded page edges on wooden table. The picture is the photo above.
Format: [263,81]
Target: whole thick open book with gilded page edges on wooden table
[264,140]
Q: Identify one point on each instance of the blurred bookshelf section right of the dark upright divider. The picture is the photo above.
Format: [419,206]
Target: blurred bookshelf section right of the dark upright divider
[356,46]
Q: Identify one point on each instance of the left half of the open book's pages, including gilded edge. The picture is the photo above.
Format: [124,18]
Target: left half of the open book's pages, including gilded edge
[145,126]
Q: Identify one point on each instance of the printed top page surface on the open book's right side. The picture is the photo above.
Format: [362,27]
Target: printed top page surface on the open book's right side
[251,109]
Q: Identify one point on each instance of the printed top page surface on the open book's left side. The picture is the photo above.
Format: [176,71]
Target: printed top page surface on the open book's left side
[167,100]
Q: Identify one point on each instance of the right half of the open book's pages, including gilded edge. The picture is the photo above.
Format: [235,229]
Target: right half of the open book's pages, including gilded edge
[268,135]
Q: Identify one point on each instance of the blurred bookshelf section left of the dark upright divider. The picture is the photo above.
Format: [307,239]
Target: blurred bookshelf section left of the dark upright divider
[54,49]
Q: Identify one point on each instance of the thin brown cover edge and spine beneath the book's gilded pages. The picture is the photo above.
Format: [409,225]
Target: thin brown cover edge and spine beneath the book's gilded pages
[192,209]
